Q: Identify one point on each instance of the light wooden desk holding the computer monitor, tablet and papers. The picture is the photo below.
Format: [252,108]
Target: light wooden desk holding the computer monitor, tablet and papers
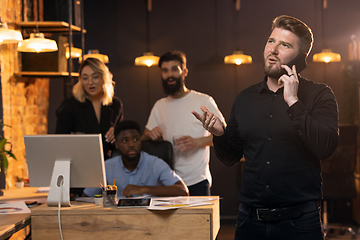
[87,221]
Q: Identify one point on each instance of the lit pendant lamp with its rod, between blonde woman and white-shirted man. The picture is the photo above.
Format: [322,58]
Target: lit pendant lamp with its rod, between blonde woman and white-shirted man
[148,59]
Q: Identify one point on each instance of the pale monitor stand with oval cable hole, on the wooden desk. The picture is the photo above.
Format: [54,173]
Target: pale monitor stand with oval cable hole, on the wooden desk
[60,184]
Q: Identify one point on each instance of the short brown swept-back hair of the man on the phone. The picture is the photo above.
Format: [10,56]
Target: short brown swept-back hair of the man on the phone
[297,27]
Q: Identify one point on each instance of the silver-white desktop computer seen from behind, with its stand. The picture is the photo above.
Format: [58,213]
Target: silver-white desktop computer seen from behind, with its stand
[62,161]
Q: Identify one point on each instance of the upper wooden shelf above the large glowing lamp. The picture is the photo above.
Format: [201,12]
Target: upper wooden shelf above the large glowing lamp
[50,26]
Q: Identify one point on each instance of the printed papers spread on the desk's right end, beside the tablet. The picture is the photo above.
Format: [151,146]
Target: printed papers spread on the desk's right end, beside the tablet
[178,202]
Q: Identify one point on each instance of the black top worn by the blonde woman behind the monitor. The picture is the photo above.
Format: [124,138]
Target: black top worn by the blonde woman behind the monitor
[76,117]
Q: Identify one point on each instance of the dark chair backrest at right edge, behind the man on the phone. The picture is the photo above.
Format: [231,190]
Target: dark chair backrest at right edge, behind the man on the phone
[338,170]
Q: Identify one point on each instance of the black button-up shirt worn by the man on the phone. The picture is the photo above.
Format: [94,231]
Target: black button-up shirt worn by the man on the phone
[282,145]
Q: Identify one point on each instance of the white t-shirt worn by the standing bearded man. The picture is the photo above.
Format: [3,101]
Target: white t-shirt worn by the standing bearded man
[173,116]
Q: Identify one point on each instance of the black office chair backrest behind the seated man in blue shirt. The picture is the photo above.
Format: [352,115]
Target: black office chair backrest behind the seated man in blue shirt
[161,149]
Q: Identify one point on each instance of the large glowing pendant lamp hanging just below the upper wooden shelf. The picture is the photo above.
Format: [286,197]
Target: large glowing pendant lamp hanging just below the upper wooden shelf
[37,43]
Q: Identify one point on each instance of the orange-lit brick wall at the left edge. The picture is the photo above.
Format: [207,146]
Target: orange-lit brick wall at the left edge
[25,100]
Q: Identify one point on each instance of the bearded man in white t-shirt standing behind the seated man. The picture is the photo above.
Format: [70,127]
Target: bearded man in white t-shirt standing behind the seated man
[171,119]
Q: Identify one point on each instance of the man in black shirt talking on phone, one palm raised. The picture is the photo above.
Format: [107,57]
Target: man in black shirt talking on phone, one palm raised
[283,126]
